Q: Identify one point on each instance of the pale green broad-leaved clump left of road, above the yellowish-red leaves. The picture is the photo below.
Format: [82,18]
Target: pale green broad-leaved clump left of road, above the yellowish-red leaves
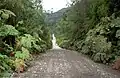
[32,43]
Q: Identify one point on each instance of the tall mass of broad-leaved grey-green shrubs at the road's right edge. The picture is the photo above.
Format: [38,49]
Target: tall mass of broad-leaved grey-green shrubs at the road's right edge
[100,41]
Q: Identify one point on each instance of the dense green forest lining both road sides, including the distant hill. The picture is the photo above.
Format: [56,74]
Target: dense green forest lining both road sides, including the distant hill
[91,27]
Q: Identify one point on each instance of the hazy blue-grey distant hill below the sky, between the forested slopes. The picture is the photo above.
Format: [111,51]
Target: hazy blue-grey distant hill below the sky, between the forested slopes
[51,19]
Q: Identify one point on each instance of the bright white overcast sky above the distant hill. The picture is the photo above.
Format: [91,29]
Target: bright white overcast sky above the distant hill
[54,5]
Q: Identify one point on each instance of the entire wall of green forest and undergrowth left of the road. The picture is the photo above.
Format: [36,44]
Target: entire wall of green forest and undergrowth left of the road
[23,32]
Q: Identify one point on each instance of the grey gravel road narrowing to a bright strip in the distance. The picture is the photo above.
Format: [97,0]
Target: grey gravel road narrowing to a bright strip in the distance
[60,63]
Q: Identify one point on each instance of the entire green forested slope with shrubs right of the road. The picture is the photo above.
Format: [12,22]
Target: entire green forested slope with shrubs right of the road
[92,27]
